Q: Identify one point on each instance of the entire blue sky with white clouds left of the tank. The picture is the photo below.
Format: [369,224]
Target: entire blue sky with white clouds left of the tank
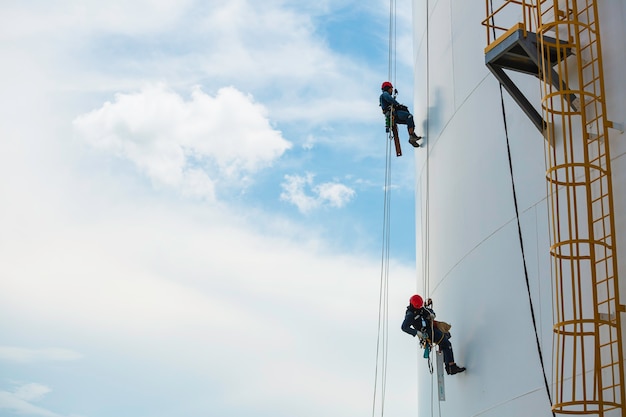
[192,208]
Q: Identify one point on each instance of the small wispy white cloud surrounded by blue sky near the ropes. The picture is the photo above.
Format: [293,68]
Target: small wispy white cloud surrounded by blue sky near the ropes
[330,194]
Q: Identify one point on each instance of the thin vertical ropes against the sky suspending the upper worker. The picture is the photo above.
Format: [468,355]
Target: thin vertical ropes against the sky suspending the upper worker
[382,342]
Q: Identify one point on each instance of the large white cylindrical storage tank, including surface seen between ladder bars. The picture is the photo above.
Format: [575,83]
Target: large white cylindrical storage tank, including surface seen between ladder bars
[469,253]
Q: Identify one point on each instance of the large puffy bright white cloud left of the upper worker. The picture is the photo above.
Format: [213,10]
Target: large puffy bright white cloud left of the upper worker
[190,146]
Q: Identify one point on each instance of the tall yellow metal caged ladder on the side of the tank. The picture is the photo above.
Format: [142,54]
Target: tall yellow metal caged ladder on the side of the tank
[588,351]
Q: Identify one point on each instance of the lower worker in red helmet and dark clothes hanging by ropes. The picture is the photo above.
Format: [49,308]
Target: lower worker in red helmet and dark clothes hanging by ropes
[420,321]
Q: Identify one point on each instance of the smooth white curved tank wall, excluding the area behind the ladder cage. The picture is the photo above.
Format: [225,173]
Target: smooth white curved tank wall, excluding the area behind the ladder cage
[468,248]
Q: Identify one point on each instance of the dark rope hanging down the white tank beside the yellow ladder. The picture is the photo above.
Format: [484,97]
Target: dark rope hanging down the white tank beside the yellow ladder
[519,231]
